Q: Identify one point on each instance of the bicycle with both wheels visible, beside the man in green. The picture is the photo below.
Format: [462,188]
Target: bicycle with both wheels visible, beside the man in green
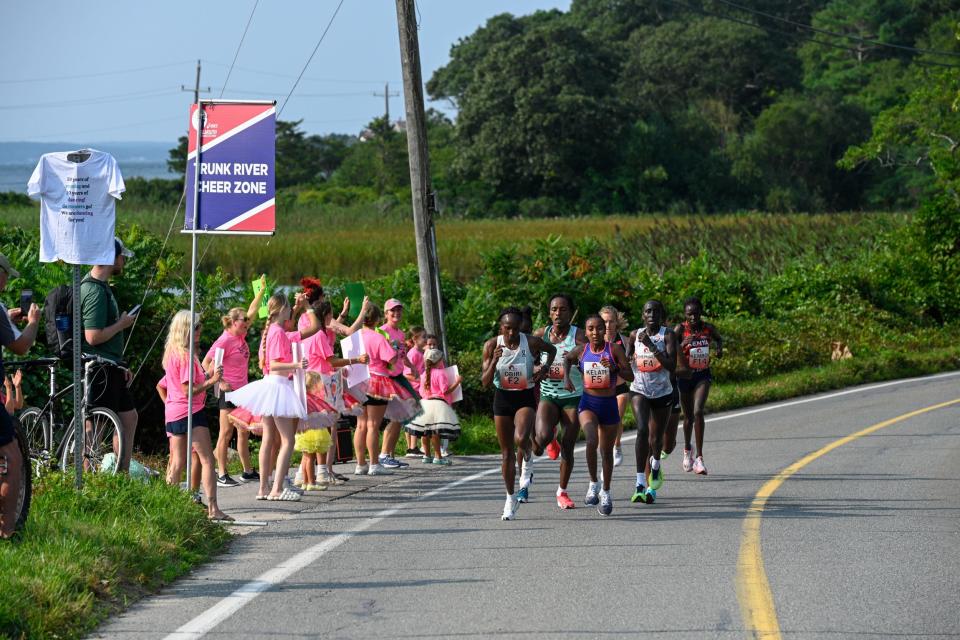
[103,429]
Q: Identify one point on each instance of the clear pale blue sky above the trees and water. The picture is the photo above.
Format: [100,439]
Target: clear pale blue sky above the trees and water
[112,70]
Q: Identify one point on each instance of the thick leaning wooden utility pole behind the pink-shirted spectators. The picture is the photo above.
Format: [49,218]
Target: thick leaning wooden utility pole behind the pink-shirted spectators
[422,195]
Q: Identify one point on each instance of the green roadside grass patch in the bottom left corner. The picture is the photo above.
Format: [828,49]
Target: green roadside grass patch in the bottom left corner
[84,555]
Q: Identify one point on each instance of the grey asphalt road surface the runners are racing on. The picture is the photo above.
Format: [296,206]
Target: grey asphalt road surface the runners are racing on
[862,542]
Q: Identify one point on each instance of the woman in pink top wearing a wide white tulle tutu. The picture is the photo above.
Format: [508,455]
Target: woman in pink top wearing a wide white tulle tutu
[274,398]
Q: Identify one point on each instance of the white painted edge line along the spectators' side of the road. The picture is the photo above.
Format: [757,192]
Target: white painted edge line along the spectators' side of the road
[205,622]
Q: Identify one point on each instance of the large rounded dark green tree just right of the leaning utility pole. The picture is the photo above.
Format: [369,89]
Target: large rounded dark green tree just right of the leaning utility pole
[539,114]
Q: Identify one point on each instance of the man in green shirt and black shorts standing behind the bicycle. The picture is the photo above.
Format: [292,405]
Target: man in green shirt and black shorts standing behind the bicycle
[103,327]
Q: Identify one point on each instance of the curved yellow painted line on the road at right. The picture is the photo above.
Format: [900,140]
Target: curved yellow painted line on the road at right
[753,590]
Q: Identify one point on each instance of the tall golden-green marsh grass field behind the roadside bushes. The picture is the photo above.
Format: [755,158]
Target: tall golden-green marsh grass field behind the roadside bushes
[356,243]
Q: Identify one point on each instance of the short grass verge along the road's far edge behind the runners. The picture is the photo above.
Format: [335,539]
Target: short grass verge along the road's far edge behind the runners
[479,437]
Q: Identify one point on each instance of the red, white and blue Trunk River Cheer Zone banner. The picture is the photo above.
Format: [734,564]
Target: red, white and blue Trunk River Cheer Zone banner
[237,162]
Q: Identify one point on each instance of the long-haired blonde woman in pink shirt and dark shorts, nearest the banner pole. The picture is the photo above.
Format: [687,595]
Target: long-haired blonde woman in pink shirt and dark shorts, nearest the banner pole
[176,383]
